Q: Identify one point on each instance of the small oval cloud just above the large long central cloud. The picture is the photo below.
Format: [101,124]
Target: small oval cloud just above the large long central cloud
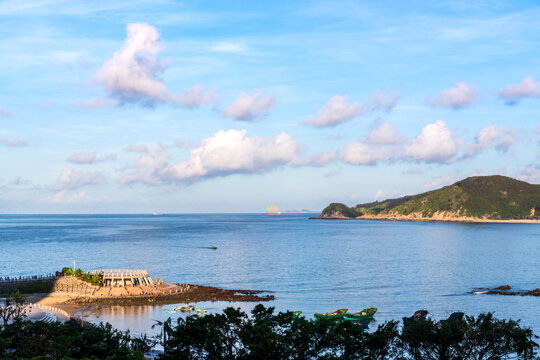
[247,107]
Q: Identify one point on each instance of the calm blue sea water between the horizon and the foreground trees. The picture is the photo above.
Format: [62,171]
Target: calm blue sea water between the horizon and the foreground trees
[309,265]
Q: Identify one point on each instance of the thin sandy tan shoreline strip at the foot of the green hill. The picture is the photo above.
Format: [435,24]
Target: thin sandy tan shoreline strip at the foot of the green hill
[431,219]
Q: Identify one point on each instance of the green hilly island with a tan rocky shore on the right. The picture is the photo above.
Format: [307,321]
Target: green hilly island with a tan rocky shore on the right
[475,199]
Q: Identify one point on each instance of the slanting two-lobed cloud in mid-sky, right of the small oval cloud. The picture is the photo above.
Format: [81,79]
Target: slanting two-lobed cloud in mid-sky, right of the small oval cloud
[337,110]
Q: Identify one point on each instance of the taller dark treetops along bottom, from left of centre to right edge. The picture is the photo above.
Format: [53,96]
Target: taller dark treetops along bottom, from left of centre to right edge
[265,335]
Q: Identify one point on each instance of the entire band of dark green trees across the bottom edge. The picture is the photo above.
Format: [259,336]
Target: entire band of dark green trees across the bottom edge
[233,334]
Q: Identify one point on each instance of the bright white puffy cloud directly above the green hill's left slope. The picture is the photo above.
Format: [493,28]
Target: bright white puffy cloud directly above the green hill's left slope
[436,144]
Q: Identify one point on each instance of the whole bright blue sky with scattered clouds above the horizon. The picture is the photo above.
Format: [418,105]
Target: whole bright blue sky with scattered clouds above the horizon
[216,106]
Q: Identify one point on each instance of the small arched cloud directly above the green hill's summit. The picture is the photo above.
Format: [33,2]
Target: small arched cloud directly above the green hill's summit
[503,139]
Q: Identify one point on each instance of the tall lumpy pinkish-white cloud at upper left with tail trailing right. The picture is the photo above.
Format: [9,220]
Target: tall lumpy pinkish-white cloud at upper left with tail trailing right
[131,75]
